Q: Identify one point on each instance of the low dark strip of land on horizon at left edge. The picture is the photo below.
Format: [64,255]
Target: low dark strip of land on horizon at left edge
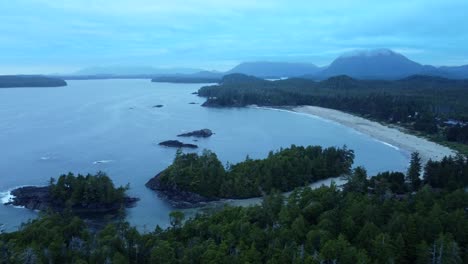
[11,81]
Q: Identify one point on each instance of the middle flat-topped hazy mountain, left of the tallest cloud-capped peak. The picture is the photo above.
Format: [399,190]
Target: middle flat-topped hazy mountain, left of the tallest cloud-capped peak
[274,69]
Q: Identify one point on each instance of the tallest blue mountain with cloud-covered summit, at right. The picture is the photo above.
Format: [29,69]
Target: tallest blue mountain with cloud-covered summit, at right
[375,64]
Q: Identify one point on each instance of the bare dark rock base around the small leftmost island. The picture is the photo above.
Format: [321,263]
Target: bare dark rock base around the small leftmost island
[39,198]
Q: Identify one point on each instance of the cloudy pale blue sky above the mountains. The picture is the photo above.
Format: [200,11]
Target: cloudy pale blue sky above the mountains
[63,36]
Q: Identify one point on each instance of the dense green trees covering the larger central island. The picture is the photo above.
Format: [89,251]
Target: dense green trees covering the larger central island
[282,170]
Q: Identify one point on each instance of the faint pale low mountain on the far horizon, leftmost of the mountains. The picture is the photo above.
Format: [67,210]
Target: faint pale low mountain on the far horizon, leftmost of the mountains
[129,71]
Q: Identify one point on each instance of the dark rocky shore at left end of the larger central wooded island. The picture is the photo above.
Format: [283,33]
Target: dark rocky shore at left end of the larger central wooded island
[177,198]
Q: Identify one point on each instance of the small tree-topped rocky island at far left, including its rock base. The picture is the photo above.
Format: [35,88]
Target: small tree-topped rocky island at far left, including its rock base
[81,194]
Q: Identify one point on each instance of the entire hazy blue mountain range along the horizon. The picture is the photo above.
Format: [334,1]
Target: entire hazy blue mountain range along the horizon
[363,64]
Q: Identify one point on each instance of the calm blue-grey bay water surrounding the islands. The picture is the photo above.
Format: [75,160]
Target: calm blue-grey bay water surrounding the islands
[45,132]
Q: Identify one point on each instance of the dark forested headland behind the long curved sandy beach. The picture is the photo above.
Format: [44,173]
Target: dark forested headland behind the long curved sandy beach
[421,103]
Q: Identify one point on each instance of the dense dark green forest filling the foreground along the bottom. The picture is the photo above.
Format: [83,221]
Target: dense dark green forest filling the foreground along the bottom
[370,221]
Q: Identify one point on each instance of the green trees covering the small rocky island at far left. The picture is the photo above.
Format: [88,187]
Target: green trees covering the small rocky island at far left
[70,190]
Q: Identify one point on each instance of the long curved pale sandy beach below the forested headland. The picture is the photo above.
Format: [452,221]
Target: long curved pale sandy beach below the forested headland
[393,136]
